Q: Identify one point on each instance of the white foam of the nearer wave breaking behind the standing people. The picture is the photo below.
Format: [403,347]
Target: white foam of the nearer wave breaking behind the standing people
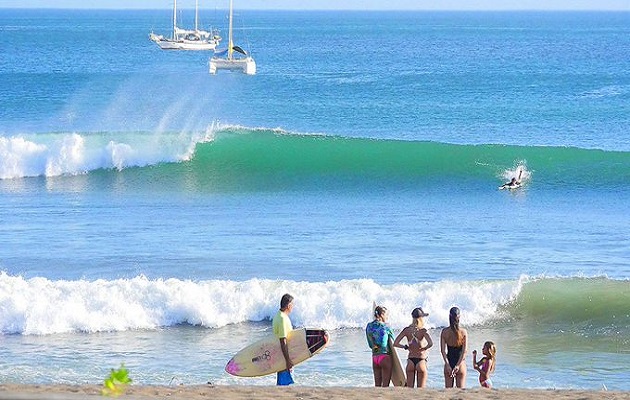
[41,306]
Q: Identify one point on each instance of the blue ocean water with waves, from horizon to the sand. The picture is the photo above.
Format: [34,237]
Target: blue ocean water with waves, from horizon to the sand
[153,215]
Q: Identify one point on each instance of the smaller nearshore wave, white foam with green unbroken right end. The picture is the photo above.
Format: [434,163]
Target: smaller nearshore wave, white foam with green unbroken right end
[41,306]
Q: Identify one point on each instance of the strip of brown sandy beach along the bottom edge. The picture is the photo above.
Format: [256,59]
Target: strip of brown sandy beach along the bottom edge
[36,392]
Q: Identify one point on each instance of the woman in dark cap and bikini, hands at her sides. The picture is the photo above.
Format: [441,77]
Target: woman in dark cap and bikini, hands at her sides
[418,342]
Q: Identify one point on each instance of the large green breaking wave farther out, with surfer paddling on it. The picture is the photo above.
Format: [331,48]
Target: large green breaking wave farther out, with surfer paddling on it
[230,157]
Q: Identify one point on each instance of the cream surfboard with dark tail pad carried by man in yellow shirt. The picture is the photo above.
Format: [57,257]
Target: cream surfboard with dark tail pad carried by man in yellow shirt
[265,356]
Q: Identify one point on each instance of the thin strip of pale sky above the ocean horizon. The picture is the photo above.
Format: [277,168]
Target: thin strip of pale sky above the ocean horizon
[622,5]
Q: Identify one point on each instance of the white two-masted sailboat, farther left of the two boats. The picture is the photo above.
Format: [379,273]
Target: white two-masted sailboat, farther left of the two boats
[184,39]
